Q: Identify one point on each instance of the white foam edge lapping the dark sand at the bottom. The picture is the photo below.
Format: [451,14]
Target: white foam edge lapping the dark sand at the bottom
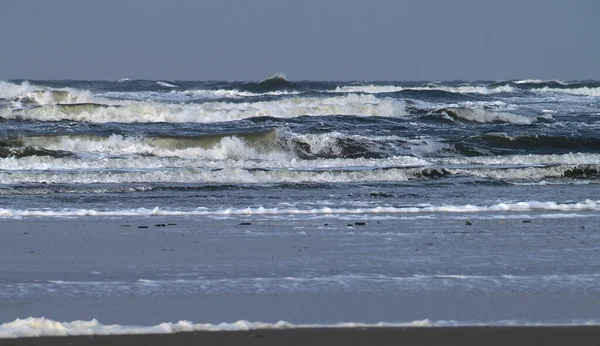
[36,327]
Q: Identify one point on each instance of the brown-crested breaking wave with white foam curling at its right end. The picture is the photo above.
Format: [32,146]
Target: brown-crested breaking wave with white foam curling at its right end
[264,144]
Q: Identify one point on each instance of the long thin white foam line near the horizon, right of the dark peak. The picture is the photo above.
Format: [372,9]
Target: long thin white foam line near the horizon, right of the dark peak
[376,89]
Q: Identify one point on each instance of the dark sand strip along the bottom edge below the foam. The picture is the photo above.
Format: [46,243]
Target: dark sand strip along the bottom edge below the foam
[580,335]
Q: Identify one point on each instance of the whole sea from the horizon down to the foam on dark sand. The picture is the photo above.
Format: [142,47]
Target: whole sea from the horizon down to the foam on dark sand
[137,202]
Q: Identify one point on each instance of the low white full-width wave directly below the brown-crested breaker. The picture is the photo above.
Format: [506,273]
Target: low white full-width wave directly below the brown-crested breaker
[283,175]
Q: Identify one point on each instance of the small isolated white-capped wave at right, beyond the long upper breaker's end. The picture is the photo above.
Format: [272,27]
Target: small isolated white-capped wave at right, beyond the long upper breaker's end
[480,115]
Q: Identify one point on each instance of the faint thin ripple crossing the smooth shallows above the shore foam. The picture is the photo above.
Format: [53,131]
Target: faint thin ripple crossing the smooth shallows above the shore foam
[359,282]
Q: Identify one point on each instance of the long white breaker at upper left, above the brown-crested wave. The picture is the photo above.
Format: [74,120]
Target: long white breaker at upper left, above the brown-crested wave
[352,104]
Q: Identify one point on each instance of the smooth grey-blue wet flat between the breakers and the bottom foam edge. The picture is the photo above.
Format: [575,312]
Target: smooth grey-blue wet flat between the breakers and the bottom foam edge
[323,271]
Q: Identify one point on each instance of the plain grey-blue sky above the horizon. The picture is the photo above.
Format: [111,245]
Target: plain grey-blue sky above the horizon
[305,40]
